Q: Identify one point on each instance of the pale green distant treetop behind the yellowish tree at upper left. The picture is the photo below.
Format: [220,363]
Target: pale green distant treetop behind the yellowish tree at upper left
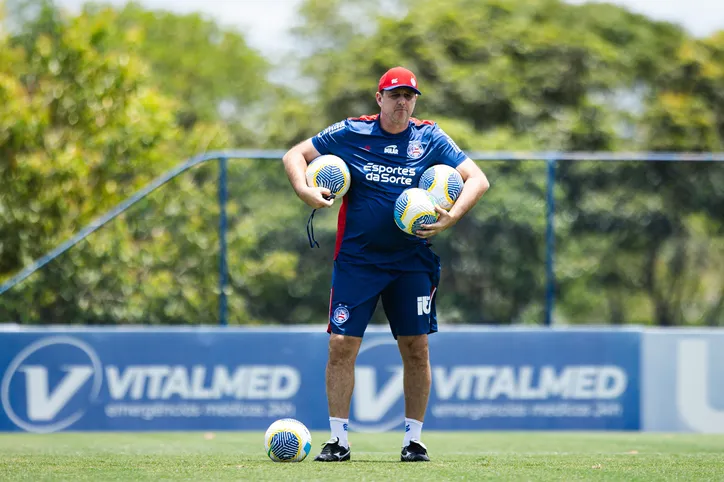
[210,71]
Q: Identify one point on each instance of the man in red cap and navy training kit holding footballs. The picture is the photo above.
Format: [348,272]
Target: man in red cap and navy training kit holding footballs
[386,154]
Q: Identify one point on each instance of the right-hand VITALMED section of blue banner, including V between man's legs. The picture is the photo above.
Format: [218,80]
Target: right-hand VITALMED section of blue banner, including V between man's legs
[508,379]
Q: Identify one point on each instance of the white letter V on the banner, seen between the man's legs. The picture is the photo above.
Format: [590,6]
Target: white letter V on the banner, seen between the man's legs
[369,406]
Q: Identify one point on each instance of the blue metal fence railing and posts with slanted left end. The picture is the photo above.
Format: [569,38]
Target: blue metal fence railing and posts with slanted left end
[551,158]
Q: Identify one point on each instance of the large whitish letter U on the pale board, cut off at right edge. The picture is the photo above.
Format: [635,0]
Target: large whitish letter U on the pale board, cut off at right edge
[692,394]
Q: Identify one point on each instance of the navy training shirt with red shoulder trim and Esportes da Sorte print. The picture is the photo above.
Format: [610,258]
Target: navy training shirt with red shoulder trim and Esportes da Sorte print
[382,165]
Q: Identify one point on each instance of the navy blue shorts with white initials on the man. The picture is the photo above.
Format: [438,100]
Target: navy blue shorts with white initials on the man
[408,299]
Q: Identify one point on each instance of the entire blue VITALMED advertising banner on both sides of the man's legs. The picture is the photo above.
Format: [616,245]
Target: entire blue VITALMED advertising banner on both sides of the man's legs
[239,379]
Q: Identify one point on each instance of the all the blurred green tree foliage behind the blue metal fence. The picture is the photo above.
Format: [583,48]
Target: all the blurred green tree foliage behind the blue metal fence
[94,106]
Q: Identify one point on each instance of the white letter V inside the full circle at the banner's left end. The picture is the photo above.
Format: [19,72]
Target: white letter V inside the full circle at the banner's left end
[43,405]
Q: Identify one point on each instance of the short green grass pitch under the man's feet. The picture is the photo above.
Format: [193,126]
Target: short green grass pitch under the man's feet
[455,456]
